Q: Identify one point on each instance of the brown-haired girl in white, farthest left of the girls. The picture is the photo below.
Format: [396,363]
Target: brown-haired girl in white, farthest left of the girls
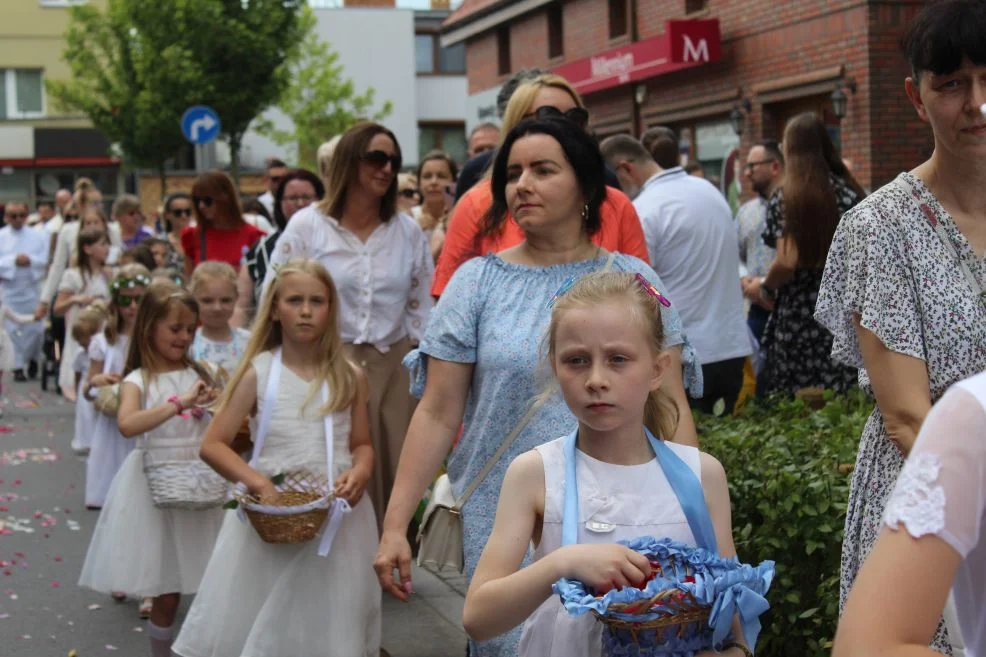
[87,281]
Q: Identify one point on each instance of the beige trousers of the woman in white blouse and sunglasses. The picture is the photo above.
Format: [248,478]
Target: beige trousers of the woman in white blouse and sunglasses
[391,406]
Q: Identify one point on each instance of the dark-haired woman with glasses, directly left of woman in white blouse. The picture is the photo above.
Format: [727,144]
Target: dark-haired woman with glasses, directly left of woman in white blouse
[296,190]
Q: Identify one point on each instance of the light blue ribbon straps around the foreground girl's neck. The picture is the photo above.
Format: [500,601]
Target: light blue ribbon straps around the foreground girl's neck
[686,486]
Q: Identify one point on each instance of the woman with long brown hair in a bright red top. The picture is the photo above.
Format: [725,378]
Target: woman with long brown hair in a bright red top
[220,232]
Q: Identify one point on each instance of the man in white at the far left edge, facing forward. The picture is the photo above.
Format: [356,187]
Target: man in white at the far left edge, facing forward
[23,258]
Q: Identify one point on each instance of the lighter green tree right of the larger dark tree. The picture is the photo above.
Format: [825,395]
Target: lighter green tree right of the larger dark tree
[320,101]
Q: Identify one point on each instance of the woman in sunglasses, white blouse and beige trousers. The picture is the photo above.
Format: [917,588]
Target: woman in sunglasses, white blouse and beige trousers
[382,266]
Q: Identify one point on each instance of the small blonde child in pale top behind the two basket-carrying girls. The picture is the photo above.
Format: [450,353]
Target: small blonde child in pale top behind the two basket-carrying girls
[214,287]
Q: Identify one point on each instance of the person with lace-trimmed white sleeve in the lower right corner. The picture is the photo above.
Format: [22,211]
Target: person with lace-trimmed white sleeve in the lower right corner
[932,541]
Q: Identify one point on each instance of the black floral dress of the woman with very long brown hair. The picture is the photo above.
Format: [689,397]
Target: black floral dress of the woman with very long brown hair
[796,347]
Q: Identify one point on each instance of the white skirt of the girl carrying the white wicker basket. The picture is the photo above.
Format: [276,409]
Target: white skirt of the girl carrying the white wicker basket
[145,551]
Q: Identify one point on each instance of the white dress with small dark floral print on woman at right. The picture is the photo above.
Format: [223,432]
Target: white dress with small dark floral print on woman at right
[888,266]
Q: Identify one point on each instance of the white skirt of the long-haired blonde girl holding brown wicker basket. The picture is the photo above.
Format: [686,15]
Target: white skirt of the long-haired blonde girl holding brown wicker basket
[263,600]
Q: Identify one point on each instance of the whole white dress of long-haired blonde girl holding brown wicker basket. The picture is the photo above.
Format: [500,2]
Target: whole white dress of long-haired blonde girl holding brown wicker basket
[263,600]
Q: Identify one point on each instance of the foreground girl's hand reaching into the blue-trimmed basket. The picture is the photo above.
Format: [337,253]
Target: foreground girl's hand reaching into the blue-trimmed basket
[604,567]
